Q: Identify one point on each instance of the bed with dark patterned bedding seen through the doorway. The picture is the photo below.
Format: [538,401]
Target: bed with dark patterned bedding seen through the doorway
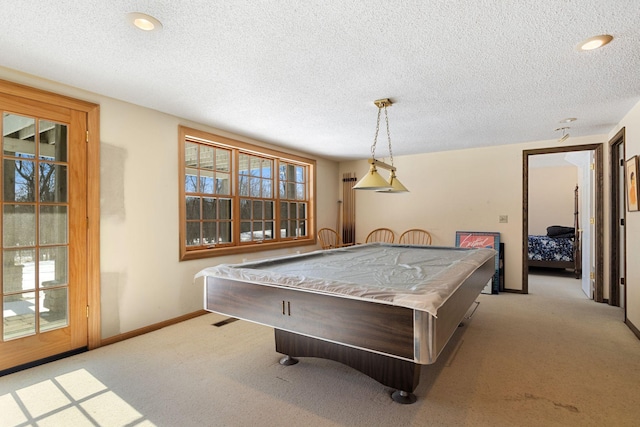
[559,248]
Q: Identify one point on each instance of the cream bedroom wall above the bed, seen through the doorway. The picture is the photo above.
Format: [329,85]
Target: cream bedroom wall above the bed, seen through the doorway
[551,197]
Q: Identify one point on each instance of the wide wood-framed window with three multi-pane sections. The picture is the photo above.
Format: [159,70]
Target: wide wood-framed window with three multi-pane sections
[236,197]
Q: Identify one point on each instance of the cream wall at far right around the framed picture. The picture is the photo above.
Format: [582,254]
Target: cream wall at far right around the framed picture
[631,123]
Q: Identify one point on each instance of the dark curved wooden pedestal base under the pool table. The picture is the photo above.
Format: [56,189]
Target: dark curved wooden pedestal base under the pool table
[400,374]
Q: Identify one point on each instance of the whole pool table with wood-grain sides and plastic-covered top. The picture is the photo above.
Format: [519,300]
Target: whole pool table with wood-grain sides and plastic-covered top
[382,309]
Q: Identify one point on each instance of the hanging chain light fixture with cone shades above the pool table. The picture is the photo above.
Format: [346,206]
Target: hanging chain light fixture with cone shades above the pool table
[373,180]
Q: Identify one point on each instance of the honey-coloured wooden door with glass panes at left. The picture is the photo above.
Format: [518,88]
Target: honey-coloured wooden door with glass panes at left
[44,226]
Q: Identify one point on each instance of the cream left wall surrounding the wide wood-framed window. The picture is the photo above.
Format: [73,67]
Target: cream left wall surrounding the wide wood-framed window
[142,281]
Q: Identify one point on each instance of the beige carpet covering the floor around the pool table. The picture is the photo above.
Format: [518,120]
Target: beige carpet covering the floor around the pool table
[548,358]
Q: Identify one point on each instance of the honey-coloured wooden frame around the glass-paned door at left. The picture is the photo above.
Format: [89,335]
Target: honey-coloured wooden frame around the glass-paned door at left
[93,193]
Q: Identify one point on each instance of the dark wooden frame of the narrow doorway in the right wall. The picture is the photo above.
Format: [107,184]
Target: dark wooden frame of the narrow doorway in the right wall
[614,230]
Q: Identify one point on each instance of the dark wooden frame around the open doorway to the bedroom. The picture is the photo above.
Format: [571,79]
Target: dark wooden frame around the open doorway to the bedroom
[599,214]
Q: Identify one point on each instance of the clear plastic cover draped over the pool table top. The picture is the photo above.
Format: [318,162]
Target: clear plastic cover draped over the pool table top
[417,277]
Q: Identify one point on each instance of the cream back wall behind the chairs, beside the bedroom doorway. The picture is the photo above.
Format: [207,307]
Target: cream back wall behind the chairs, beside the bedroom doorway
[463,190]
